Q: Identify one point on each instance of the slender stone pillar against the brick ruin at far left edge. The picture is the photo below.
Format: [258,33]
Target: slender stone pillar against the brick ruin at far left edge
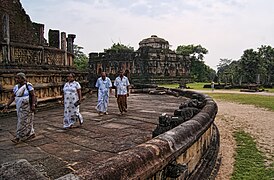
[6,38]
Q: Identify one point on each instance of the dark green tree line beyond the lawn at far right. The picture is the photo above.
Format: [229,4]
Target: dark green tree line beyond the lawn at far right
[254,66]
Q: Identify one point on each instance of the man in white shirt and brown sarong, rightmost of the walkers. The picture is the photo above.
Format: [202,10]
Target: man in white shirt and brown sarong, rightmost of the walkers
[121,84]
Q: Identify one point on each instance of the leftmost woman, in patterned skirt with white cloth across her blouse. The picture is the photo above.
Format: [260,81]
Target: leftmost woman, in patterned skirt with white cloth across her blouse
[25,110]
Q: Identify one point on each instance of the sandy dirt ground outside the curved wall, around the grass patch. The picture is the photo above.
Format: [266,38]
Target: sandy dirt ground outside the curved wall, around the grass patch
[258,122]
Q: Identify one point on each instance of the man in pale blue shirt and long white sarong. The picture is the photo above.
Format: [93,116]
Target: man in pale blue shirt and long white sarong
[104,85]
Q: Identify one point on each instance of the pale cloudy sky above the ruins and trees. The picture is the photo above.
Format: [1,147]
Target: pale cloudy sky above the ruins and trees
[226,28]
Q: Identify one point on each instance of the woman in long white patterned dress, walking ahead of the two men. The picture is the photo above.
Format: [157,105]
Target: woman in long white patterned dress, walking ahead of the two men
[72,97]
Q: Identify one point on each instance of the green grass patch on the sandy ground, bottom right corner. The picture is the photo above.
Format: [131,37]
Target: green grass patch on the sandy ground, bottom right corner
[249,162]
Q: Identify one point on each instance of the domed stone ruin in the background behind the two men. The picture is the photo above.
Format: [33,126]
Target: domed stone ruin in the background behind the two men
[152,63]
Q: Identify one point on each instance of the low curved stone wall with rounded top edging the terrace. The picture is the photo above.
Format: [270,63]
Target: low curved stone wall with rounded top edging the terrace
[188,151]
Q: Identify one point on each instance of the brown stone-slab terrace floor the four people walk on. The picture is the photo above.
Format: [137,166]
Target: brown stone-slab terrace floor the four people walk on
[56,152]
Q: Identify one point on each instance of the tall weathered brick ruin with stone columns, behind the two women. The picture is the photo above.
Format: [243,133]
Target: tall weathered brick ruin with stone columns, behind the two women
[24,49]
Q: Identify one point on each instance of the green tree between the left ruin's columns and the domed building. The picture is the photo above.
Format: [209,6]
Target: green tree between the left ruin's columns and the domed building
[80,59]
